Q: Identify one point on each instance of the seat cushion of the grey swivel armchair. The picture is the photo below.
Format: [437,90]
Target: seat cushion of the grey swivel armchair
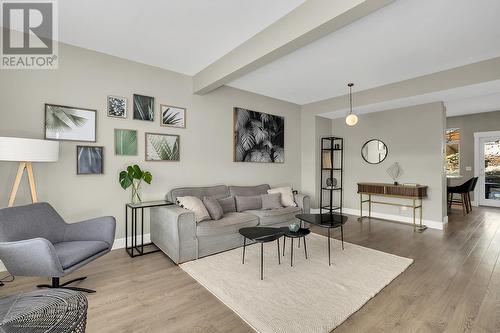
[71,253]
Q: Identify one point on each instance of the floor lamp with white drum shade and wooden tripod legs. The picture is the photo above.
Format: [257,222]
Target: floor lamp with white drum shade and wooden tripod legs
[26,151]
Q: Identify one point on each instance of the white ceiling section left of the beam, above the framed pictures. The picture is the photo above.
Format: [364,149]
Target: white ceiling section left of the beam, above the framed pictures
[180,35]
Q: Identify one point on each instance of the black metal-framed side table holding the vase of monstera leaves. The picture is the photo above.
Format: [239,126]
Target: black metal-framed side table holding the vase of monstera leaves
[137,249]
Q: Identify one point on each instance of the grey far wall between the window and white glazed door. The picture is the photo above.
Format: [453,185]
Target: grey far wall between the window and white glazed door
[468,125]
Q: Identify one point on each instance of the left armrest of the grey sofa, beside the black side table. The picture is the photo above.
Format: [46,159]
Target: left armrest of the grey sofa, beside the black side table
[173,230]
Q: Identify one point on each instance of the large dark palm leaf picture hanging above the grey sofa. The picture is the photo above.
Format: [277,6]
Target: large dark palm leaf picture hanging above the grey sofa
[259,137]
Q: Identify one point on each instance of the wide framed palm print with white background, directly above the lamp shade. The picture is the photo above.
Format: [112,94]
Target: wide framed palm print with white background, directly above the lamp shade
[70,123]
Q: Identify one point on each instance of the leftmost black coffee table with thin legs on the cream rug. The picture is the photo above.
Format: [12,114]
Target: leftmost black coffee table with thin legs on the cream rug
[261,235]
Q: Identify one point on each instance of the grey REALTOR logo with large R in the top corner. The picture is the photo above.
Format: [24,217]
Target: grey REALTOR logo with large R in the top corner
[29,35]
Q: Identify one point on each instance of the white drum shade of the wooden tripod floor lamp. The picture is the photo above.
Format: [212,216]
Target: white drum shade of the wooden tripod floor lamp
[28,150]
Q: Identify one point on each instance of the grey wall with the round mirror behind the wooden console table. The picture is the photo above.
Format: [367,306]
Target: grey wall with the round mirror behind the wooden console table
[414,137]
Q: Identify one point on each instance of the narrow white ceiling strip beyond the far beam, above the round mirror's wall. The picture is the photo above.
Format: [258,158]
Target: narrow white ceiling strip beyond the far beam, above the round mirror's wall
[483,97]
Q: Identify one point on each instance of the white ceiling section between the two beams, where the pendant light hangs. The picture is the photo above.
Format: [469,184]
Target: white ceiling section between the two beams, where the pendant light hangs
[406,39]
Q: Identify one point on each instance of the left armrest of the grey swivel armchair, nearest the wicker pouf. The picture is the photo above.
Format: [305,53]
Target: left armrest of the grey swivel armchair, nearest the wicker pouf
[31,257]
